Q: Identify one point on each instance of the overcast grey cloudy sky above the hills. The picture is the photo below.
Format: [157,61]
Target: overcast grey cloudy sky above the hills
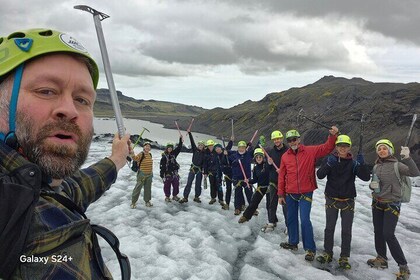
[222,53]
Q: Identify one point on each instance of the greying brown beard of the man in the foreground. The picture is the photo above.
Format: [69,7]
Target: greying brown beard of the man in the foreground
[55,161]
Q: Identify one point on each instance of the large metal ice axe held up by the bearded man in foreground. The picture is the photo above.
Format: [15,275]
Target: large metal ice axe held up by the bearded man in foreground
[97,18]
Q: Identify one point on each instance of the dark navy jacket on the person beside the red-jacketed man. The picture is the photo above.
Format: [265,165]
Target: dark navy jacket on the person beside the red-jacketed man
[340,178]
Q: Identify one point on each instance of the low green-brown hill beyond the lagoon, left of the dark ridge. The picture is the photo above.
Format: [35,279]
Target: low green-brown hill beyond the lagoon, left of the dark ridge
[151,110]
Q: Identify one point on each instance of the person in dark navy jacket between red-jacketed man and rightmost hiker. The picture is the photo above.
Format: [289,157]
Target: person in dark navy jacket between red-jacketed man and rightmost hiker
[341,170]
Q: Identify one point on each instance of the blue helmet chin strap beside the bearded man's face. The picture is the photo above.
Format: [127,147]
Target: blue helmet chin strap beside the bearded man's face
[10,138]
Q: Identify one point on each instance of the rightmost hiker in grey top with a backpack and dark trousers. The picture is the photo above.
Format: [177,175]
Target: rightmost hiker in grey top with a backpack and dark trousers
[386,203]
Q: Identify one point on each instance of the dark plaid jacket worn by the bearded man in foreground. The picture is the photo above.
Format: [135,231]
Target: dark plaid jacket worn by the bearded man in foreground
[59,242]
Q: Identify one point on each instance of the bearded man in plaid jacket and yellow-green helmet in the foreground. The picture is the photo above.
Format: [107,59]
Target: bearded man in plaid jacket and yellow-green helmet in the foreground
[47,92]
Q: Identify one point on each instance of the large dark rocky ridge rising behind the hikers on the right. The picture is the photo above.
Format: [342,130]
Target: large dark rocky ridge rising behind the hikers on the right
[389,108]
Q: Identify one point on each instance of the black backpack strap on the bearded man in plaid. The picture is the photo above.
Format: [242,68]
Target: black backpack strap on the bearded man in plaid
[106,234]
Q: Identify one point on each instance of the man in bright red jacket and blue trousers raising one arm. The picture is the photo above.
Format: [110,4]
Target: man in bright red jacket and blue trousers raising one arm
[296,184]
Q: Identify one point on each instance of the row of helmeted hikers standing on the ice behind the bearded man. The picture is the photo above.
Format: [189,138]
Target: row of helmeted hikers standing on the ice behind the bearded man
[287,176]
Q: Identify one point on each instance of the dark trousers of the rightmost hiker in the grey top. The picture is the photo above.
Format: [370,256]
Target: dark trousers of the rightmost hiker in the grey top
[385,218]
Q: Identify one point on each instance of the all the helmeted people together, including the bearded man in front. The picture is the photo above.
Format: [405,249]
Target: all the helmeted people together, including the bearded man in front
[47,92]
